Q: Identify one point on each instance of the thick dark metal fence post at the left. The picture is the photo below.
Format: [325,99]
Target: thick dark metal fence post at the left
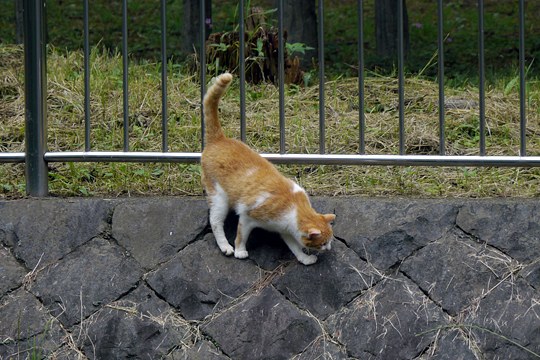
[35,83]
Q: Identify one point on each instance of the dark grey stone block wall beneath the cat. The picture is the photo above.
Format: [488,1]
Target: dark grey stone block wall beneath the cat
[143,278]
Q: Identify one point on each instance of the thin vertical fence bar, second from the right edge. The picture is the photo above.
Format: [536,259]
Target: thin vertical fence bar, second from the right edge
[482,77]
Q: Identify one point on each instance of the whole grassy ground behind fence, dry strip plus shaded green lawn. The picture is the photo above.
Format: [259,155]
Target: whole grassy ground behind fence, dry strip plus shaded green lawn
[65,99]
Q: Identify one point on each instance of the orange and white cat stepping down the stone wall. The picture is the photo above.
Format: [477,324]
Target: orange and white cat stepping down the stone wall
[236,177]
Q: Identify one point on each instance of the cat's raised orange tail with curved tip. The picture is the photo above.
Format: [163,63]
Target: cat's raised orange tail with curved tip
[213,129]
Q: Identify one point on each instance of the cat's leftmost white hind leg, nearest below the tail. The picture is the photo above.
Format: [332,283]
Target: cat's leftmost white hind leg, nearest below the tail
[219,208]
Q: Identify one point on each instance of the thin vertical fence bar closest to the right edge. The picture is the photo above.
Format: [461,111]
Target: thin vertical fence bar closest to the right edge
[522,99]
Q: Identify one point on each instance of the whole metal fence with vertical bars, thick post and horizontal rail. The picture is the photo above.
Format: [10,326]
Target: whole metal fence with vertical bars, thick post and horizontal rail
[36,155]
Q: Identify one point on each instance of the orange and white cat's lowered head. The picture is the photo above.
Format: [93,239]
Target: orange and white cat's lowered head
[317,233]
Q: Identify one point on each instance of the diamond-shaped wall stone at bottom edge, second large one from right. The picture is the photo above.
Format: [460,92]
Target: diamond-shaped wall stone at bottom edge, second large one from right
[393,320]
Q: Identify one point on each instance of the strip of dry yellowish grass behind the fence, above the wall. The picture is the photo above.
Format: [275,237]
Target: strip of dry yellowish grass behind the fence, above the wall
[66,131]
